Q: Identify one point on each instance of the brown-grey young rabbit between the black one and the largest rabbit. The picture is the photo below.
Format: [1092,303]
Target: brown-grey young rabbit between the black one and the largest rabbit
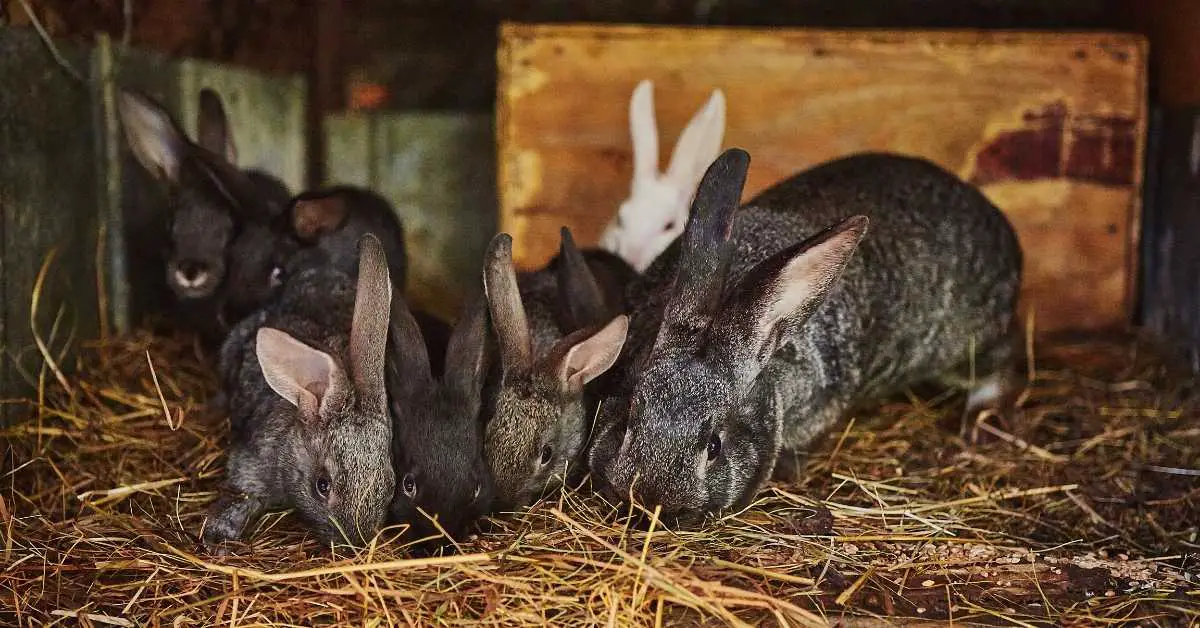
[541,418]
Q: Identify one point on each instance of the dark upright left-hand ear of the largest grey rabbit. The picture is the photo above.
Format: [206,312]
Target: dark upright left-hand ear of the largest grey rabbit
[706,248]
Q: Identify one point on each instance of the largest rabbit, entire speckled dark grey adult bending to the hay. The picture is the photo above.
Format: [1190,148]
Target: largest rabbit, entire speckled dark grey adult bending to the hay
[765,325]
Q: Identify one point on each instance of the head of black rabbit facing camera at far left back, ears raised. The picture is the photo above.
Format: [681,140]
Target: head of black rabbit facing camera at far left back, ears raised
[208,196]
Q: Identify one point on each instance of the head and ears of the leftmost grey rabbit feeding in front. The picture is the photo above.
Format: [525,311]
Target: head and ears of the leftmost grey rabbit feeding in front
[340,475]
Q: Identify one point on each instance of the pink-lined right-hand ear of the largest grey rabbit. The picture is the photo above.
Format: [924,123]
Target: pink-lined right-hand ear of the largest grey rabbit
[787,288]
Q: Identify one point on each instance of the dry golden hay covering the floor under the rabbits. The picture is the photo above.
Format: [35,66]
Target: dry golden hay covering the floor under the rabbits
[1084,511]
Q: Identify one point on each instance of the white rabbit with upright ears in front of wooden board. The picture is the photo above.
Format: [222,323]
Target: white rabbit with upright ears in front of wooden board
[657,210]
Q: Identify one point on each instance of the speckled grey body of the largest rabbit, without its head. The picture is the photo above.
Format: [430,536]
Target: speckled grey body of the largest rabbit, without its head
[938,277]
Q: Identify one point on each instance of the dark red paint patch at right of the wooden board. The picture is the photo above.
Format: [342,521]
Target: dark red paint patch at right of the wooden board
[1054,143]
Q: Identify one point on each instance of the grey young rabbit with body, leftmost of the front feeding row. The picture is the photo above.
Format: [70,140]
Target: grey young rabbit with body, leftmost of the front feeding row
[310,427]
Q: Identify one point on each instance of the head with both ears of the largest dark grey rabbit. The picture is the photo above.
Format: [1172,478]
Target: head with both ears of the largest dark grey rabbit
[689,444]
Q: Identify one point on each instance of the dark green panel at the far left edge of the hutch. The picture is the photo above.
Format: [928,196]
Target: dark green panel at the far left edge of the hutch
[49,205]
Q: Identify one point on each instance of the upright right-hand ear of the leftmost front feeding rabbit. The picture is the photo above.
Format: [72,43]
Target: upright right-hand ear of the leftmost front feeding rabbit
[369,330]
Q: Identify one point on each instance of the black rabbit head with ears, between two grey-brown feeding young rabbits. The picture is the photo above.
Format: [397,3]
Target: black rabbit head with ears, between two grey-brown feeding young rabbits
[443,485]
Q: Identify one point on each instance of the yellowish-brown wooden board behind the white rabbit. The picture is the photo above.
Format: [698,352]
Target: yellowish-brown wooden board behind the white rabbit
[1051,127]
